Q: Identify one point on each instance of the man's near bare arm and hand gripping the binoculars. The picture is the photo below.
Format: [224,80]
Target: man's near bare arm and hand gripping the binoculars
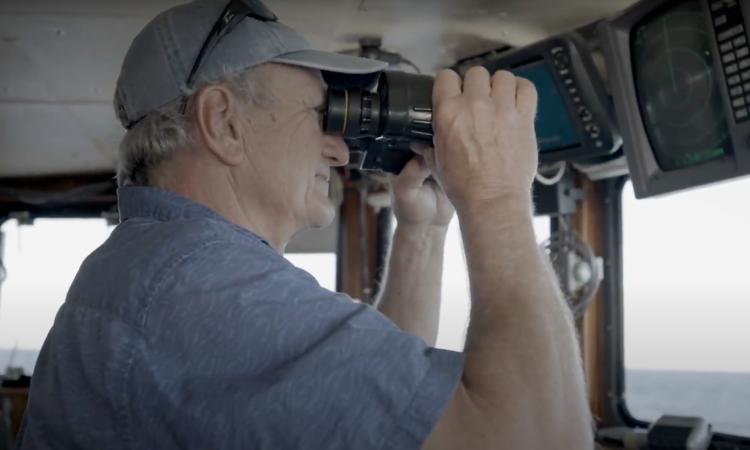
[522,385]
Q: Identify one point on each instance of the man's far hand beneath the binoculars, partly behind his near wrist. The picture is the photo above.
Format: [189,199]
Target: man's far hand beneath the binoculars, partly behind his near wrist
[417,199]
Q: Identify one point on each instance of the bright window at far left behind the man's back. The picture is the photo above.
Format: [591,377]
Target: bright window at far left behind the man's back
[41,261]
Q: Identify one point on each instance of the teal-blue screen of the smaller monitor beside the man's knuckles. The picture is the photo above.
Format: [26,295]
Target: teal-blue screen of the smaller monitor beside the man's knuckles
[555,129]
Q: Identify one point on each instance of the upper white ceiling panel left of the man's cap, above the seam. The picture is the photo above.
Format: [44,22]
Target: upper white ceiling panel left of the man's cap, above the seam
[62,59]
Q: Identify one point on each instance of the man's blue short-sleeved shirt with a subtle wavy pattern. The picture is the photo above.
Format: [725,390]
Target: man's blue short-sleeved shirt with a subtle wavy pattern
[185,331]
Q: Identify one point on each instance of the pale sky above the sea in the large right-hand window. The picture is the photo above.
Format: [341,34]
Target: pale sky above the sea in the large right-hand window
[687,279]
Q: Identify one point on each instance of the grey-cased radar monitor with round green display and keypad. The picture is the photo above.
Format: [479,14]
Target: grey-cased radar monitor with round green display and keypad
[679,72]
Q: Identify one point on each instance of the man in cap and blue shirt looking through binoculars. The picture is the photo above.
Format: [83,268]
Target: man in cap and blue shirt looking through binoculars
[188,328]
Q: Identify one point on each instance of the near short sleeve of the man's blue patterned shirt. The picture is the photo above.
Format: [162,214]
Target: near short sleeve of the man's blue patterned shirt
[243,350]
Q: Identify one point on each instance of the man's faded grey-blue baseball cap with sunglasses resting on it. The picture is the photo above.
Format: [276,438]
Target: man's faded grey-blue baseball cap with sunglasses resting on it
[159,61]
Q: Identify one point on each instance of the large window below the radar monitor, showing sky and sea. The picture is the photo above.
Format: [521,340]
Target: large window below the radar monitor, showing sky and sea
[687,305]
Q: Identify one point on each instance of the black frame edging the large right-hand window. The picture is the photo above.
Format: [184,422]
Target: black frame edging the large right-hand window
[612,328]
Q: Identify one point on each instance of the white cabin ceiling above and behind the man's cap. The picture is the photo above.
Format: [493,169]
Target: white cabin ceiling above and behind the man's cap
[60,59]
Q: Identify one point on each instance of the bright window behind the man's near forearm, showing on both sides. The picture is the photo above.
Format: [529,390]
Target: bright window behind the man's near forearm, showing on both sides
[454,311]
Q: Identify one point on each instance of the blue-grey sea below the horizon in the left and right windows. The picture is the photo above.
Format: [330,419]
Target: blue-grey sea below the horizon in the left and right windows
[722,398]
